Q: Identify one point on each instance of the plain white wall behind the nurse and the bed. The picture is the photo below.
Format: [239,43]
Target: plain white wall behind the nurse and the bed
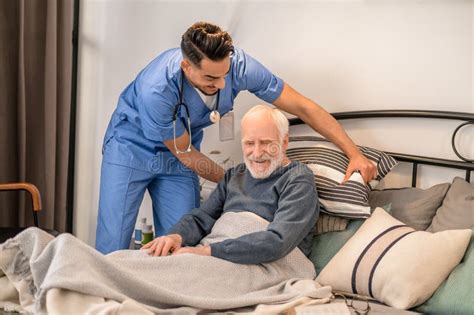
[346,55]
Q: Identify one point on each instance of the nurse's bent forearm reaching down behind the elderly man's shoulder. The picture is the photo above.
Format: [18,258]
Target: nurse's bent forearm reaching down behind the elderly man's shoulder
[195,160]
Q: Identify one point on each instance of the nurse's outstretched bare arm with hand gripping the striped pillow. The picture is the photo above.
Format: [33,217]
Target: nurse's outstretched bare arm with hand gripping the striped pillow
[322,122]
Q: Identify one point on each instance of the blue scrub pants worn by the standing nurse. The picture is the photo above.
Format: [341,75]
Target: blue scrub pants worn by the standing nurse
[121,192]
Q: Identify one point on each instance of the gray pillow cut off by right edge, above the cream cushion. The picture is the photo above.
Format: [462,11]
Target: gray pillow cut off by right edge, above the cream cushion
[457,211]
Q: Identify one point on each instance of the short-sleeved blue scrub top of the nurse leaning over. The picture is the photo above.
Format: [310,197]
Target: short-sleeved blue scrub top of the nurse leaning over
[143,118]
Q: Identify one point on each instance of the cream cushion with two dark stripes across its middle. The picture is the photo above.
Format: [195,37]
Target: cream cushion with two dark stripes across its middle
[391,262]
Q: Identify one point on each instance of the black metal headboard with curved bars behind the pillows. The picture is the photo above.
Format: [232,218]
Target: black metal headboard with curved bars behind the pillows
[466,118]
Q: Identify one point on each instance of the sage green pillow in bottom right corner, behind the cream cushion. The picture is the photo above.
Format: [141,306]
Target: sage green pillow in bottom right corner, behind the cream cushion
[456,294]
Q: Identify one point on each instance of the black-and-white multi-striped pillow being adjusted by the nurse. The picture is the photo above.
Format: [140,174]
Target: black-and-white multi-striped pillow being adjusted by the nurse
[329,166]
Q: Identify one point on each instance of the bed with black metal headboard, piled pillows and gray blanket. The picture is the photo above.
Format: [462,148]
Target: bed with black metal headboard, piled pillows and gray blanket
[349,220]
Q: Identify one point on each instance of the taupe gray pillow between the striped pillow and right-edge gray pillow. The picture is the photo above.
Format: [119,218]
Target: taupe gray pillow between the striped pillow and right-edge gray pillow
[415,207]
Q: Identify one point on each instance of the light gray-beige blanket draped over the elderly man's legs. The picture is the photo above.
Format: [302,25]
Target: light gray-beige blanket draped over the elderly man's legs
[35,262]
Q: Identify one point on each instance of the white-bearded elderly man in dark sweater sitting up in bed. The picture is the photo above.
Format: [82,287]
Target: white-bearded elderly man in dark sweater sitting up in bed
[268,184]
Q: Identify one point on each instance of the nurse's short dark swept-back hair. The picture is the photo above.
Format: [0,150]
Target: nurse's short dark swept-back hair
[204,39]
